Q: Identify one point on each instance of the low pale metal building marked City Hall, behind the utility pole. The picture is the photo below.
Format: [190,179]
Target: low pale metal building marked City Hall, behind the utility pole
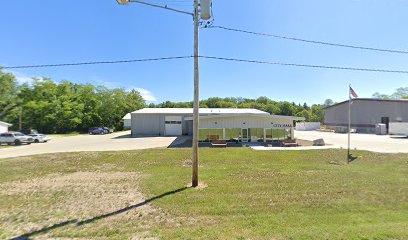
[235,124]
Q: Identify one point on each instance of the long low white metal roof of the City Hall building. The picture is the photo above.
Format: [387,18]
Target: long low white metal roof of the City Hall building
[202,111]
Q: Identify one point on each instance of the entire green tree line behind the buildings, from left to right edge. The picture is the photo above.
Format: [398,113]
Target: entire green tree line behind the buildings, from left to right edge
[64,107]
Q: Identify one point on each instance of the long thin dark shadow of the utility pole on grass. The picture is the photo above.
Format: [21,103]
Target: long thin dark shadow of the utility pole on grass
[27,236]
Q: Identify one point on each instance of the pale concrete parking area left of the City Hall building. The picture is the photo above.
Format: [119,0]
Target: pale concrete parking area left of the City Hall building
[81,143]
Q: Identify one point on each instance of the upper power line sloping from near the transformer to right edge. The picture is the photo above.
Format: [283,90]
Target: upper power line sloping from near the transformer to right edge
[312,41]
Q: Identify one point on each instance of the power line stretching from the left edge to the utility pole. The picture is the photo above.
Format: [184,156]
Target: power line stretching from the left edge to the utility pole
[95,63]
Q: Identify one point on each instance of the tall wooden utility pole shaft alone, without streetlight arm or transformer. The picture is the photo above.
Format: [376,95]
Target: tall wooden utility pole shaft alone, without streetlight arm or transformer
[196,97]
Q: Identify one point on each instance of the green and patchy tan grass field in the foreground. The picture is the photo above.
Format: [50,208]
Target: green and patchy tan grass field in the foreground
[245,194]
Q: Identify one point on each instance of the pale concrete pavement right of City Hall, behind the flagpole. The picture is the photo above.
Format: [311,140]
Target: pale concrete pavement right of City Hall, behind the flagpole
[369,142]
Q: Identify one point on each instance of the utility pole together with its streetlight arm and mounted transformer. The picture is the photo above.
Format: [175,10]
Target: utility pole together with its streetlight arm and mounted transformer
[205,7]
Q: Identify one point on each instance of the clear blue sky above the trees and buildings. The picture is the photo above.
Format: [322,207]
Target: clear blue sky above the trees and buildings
[42,32]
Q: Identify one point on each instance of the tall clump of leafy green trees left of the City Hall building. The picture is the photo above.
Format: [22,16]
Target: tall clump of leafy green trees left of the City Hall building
[64,107]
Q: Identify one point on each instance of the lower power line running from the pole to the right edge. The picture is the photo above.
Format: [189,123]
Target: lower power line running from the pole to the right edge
[307,65]
